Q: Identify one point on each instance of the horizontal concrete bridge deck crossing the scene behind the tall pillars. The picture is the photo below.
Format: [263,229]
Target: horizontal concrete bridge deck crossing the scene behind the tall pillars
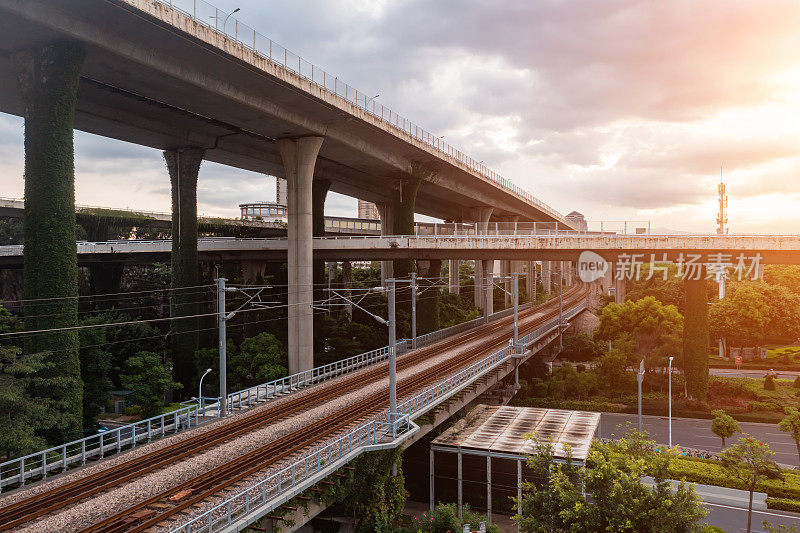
[642,248]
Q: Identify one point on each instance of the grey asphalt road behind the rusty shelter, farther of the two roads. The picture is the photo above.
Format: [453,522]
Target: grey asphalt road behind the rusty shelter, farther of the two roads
[696,433]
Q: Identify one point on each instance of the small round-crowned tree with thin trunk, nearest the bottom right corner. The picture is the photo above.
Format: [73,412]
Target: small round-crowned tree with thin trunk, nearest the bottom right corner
[750,461]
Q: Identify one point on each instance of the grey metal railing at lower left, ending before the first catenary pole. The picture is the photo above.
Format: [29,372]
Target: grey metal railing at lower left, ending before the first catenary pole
[77,452]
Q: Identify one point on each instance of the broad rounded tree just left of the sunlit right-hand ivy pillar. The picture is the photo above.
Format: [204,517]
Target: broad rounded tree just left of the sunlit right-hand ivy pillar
[654,329]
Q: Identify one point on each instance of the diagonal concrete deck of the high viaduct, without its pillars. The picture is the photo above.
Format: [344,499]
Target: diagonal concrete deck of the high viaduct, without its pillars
[162,73]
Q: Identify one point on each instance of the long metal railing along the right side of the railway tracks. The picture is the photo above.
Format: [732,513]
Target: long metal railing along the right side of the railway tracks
[281,486]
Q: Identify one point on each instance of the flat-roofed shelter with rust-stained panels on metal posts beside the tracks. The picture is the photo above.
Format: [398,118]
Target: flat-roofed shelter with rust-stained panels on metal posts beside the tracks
[500,432]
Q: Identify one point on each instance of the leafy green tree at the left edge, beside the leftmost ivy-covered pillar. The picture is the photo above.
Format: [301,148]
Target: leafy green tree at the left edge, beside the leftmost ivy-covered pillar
[21,417]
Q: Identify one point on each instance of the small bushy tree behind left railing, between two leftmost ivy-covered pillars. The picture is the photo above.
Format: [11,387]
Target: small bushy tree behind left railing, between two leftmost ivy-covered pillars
[149,379]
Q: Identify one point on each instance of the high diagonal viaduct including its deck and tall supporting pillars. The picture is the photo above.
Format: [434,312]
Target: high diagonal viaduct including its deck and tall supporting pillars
[159,73]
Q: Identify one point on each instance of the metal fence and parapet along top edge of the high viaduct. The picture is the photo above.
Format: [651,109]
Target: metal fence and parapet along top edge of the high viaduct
[202,13]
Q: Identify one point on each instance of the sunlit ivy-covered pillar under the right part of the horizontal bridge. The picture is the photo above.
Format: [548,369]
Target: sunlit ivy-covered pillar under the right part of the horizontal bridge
[696,338]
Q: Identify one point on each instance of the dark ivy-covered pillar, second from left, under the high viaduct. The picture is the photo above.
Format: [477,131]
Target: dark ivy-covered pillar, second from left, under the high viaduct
[184,166]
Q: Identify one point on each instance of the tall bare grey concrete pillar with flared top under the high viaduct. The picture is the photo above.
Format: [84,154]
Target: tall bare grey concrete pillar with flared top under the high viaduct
[299,157]
